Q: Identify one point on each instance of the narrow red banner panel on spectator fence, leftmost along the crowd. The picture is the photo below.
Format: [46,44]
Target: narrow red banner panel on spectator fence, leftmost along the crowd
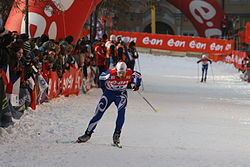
[54,86]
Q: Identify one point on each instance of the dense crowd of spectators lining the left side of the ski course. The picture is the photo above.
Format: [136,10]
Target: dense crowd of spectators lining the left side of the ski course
[26,58]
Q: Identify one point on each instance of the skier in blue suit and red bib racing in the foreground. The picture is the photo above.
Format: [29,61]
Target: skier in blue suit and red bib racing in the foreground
[113,83]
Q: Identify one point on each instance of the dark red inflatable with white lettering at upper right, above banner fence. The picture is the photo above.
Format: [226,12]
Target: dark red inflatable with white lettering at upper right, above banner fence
[206,15]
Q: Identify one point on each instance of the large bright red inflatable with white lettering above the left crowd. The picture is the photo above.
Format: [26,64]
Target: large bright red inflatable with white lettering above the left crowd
[52,17]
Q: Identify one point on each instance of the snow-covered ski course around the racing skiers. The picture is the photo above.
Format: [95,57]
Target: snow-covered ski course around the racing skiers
[198,124]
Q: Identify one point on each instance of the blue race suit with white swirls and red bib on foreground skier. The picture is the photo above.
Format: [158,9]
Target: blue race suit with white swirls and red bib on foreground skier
[114,90]
